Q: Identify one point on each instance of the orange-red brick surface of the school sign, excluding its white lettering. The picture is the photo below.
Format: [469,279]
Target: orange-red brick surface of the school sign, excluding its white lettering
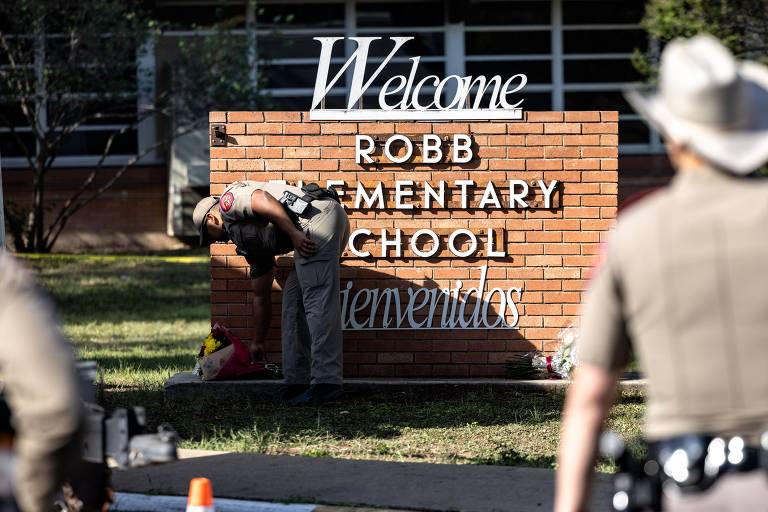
[549,252]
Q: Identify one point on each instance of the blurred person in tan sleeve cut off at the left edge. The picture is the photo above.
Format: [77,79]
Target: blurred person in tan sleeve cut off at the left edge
[40,385]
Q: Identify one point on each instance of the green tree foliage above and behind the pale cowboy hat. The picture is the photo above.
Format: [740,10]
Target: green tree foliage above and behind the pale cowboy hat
[742,25]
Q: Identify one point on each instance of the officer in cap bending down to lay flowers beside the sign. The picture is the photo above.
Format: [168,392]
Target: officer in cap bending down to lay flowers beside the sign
[267,219]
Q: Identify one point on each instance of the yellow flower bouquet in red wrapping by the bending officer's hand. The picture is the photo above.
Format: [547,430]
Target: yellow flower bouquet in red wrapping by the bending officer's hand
[223,356]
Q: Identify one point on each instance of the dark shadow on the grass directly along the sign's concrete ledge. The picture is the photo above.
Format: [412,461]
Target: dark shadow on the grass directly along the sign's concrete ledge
[381,416]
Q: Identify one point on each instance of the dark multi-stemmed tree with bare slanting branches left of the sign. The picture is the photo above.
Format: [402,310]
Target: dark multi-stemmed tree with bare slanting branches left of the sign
[67,64]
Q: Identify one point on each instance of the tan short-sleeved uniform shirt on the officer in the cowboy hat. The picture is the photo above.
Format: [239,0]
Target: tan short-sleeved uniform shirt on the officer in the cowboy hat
[684,280]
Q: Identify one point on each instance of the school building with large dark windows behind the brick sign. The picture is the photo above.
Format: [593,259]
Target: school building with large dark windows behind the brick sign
[576,55]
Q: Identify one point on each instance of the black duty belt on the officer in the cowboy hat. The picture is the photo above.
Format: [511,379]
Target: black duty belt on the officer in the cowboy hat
[691,463]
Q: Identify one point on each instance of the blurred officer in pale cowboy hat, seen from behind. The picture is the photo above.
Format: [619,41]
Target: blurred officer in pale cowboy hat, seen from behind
[682,282]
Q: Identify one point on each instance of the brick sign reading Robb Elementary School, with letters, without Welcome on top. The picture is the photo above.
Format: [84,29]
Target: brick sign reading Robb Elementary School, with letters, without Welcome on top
[470,240]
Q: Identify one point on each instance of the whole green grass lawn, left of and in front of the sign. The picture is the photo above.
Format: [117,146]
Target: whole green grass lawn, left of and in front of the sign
[142,318]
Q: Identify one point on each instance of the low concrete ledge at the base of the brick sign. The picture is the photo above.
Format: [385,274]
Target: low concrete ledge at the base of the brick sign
[186,386]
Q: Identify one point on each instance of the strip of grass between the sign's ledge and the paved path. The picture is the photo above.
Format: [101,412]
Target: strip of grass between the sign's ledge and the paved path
[510,428]
